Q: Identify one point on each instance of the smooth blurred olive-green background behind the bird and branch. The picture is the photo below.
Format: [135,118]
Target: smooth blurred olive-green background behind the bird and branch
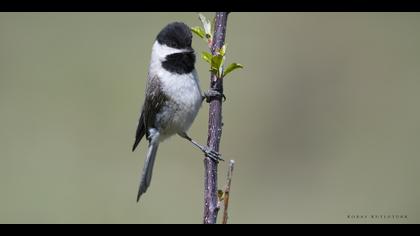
[323,122]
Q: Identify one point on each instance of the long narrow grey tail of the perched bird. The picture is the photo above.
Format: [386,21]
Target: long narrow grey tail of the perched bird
[146,176]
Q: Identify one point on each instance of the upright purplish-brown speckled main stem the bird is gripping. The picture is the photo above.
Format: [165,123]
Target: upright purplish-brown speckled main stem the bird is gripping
[215,127]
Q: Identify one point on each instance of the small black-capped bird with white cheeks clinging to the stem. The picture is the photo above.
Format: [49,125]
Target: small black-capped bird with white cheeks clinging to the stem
[173,96]
